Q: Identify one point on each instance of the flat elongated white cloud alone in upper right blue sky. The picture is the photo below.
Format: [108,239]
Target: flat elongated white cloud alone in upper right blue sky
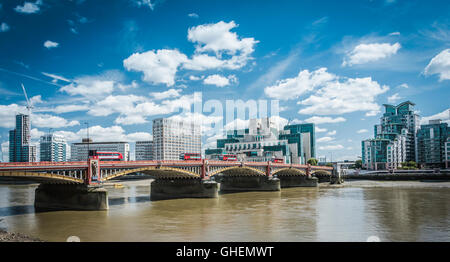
[364,53]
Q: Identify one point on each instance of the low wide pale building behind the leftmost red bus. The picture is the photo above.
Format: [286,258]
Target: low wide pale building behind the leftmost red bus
[80,151]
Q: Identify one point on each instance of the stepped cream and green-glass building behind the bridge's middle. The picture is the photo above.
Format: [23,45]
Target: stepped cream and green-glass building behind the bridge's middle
[264,141]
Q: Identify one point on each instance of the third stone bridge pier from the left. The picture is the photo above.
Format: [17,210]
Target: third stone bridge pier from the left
[248,183]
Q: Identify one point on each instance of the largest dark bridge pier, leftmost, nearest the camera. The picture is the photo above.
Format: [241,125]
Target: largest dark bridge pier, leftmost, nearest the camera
[70,197]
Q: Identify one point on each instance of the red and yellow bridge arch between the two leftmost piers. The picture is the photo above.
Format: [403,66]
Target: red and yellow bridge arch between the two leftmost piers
[157,172]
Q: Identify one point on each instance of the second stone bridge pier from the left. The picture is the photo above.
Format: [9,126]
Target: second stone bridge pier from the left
[161,189]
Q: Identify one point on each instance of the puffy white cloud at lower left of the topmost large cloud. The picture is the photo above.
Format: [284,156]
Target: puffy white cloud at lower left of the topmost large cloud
[158,67]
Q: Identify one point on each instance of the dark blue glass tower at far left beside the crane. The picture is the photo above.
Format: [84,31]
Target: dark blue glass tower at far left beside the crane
[20,148]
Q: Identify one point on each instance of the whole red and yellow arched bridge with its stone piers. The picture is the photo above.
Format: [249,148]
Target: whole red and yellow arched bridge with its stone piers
[63,184]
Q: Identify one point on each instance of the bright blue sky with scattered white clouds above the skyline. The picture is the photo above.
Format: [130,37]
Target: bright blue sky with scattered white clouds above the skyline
[117,65]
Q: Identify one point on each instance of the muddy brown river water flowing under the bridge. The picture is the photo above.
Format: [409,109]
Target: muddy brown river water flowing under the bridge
[390,211]
